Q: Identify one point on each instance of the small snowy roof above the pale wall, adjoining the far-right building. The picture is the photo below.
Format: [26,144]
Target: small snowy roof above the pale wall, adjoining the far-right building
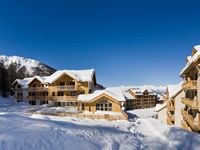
[174,89]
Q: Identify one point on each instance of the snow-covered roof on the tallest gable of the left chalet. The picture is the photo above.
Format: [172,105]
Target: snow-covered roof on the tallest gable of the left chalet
[80,75]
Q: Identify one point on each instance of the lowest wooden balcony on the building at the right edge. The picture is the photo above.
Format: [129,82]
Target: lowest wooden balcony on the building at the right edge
[194,125]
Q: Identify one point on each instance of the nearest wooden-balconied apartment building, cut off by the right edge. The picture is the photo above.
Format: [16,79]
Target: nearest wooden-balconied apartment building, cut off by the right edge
[191,100]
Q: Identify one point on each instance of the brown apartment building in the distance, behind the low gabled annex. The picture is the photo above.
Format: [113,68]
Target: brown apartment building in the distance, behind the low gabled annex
[139,99]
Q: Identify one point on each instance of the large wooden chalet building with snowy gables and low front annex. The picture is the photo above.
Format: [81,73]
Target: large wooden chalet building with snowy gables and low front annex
[69,88]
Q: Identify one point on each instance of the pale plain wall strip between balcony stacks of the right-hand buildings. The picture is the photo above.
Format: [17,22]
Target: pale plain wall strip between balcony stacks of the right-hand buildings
[178,107]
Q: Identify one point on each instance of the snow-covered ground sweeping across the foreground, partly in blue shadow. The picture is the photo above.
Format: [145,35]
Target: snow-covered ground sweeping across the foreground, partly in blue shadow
[20,130]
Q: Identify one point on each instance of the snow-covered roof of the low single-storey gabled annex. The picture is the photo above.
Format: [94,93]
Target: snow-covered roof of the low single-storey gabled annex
[114,92]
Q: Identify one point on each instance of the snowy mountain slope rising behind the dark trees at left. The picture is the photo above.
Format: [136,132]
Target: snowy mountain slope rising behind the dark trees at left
[32,67]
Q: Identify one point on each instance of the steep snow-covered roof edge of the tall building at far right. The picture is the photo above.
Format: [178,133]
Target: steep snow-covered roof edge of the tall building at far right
[191,59]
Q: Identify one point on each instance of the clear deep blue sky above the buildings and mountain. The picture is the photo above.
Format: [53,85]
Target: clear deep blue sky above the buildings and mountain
[128,42]
